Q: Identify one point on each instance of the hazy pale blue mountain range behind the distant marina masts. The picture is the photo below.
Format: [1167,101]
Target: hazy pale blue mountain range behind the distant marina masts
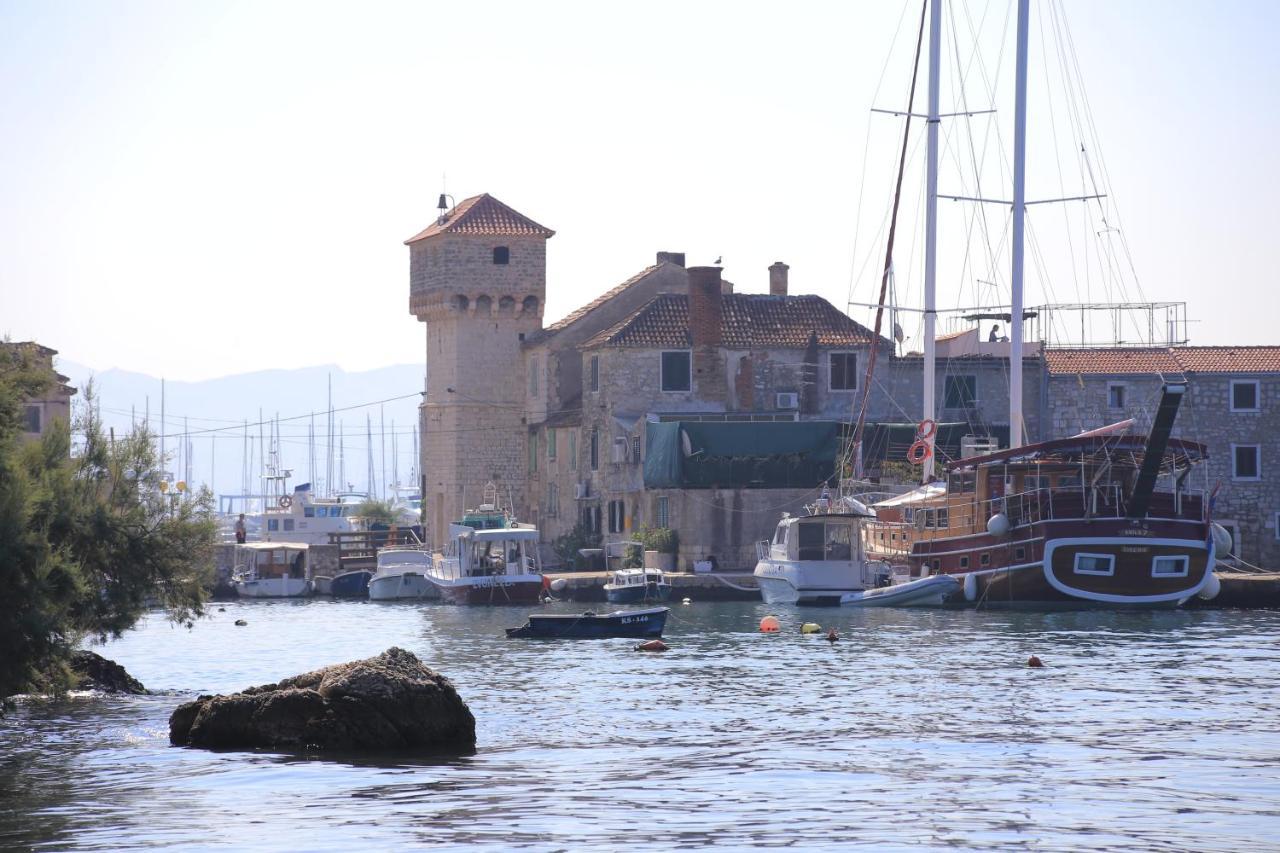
[213,414]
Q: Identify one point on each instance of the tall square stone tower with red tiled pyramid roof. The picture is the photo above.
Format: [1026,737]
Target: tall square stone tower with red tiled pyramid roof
[478,279]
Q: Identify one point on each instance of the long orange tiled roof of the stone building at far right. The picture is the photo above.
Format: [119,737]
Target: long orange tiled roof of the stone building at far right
[1164,361]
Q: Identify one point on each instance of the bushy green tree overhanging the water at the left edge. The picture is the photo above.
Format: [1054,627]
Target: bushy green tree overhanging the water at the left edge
[88,542]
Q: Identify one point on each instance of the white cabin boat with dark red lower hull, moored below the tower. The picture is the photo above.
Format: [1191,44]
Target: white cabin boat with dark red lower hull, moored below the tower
[488,567]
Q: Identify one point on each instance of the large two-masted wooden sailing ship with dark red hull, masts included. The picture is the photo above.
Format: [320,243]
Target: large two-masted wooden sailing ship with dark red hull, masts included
[1069,523]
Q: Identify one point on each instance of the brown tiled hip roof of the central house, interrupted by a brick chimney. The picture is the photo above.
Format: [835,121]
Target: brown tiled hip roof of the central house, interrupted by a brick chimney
[749,321]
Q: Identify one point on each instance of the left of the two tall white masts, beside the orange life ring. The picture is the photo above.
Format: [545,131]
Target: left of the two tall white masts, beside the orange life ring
[931,230]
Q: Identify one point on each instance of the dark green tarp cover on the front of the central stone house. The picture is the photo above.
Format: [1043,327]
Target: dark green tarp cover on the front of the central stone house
[740,455]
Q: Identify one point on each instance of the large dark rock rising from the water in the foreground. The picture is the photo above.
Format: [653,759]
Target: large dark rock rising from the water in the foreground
[386,703]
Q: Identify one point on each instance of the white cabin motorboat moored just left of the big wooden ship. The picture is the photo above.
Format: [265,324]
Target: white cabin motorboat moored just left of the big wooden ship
[819,558]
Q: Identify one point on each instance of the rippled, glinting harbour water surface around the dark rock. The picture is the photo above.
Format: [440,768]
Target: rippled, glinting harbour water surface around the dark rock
[917,729]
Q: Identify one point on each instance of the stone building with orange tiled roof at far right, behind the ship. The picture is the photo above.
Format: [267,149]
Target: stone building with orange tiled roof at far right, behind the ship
[1232,407]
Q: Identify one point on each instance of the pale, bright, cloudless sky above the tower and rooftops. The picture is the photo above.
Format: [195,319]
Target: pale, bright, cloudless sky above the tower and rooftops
[195,190]
